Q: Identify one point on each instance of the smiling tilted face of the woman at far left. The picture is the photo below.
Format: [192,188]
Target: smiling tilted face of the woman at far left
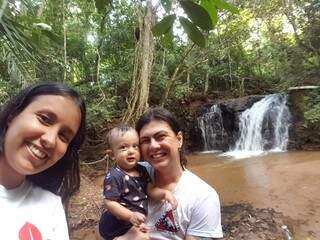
[39,136]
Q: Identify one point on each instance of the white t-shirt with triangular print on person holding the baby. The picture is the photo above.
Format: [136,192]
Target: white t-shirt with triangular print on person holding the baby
[197,213]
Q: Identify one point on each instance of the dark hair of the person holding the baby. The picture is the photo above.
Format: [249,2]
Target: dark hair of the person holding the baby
[162,114]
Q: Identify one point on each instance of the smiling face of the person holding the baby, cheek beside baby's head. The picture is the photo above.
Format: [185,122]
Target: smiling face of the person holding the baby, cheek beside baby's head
[160,144]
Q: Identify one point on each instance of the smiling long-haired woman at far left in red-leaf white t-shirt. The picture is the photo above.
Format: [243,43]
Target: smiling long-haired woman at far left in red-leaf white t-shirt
[41,131]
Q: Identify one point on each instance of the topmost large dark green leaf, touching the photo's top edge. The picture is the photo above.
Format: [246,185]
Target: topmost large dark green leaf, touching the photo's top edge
[197,14]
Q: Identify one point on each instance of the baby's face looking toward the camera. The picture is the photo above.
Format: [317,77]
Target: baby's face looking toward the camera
[125,148]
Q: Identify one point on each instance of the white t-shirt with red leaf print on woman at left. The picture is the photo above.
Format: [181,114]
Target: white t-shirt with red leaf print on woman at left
[30,212]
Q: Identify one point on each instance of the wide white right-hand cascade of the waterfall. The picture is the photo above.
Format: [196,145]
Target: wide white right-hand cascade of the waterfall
[265,125]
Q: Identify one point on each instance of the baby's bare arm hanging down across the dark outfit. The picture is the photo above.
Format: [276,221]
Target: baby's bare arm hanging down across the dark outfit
[125,214]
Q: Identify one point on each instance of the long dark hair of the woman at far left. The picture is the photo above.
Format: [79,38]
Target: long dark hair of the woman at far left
[63,178]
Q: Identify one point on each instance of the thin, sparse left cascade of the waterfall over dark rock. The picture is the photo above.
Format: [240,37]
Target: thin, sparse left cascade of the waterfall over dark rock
[211,127]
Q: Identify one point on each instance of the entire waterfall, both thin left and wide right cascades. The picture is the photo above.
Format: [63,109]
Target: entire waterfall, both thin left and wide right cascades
[262,127]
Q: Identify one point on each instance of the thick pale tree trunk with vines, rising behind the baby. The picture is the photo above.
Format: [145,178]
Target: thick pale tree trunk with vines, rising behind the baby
[139,92]
